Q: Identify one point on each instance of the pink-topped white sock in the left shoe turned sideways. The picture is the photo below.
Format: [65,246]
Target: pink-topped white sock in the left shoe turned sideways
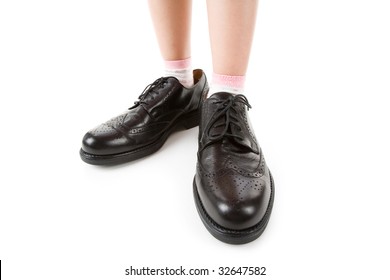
[180,69]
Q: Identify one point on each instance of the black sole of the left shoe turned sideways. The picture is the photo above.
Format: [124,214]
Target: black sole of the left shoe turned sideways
[186,121]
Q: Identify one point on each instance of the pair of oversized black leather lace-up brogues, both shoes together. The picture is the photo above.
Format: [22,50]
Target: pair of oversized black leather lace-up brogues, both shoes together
[233,188]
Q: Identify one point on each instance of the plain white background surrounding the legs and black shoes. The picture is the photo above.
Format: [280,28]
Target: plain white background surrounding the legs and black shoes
[319,83]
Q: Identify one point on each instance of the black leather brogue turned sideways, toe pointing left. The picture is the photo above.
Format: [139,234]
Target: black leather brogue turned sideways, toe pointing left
[164,106]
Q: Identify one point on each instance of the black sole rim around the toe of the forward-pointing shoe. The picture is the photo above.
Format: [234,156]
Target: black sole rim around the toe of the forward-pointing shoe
[232,236]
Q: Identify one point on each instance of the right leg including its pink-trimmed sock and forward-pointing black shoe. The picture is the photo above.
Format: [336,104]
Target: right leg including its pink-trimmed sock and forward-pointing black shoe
[233,188]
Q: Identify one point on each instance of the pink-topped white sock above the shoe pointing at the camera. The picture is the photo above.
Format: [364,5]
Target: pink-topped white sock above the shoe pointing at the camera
[226,83]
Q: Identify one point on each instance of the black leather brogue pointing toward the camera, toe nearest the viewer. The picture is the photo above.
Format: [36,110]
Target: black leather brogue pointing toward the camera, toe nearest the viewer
[233,188]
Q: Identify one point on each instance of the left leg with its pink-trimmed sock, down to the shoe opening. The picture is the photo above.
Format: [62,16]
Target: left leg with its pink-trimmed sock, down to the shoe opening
[172,24]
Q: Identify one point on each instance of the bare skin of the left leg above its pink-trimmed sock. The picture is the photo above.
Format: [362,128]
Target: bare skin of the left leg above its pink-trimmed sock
[172,23]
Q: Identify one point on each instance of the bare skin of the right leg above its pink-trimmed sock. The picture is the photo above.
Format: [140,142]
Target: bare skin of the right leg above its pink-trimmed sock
[231,25]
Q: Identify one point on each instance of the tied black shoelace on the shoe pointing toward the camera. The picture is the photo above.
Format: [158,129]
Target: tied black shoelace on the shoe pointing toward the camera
[227,111]
